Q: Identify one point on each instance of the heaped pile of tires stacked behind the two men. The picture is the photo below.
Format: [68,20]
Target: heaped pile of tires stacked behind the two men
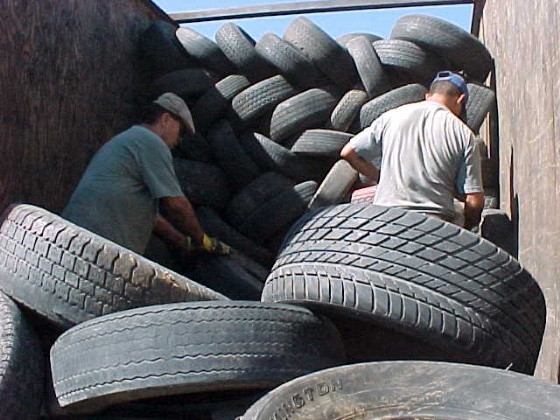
[272,116]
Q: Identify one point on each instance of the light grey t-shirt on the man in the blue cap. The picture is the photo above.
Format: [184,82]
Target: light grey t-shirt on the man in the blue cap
[425,154]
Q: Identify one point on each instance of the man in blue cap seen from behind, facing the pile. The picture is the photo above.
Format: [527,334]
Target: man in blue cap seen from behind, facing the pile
[423,154]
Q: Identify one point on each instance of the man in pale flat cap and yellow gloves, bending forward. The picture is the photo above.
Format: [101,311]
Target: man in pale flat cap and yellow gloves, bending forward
[130,189]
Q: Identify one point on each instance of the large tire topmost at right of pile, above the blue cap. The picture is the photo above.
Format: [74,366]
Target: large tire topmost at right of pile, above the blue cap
[464,51]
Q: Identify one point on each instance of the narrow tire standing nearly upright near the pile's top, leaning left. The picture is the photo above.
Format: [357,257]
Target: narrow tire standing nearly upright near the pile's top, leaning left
[368,64]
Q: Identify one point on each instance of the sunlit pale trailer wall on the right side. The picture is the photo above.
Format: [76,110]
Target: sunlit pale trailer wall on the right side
[524,37]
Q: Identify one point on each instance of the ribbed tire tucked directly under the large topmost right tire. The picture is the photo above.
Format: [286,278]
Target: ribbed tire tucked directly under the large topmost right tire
[407,57]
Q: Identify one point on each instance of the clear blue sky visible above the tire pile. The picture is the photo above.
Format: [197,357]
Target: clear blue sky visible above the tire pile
[378,22]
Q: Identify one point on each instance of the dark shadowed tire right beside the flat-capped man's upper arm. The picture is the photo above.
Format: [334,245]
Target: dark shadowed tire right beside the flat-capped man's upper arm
[202,183]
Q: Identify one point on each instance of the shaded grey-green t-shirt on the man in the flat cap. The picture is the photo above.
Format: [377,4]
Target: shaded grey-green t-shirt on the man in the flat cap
[117,196]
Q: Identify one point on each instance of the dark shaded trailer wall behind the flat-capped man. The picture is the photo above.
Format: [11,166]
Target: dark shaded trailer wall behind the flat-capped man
[68,73]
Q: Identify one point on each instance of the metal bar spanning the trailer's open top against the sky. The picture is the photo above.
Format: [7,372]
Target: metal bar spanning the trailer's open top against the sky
[281,9]
